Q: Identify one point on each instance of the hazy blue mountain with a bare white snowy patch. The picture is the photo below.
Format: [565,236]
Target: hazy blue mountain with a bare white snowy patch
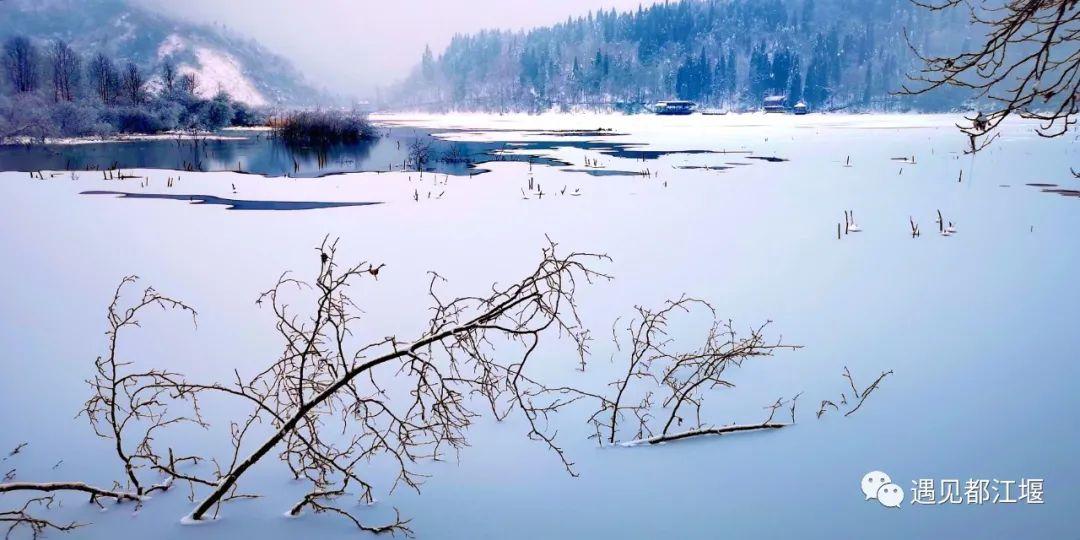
[221,60]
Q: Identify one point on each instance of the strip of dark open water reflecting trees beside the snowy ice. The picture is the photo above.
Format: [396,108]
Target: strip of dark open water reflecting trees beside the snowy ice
[261,153]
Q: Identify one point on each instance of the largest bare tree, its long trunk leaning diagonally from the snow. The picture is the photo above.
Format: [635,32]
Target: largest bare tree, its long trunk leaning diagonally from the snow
[325,406]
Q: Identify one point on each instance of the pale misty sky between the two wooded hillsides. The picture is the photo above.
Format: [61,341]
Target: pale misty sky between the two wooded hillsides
[350,47]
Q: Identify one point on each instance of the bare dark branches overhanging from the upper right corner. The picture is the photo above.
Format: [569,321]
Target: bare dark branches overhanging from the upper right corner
[1028,65]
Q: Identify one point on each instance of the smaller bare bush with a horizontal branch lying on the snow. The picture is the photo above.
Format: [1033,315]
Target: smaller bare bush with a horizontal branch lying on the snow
[677,383]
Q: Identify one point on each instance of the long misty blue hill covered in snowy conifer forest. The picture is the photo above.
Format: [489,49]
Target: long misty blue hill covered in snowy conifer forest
[833,55]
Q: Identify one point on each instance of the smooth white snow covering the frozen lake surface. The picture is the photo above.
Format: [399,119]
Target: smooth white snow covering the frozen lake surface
[979,328]
